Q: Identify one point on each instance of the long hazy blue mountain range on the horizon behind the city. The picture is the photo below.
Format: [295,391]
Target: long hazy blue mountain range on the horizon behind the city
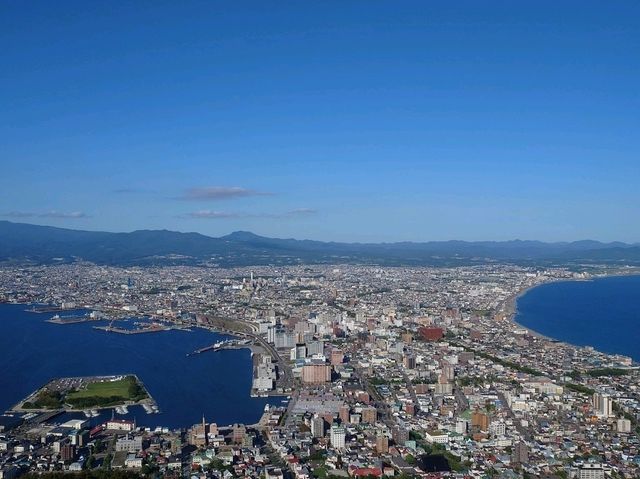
[26,243]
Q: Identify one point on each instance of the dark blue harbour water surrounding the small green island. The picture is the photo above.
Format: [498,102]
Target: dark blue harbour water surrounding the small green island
[216,384]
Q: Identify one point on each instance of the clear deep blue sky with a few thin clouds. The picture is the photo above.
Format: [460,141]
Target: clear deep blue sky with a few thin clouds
[349,121]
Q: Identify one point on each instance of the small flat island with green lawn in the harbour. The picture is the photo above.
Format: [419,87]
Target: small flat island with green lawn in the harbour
[78,393]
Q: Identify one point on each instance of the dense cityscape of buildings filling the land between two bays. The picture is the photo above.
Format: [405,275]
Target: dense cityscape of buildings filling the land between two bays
[395,372]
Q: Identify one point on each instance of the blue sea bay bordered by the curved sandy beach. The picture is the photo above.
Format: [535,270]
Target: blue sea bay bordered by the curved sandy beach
[603,313]
